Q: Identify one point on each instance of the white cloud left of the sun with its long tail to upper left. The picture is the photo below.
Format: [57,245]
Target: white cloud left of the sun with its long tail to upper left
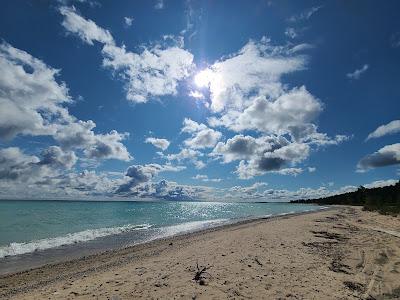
[154,72]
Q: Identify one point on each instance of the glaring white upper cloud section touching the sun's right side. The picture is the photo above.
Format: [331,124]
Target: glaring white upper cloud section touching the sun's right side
[254,71]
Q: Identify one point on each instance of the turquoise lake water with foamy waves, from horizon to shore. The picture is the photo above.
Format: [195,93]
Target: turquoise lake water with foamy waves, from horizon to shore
[31,226]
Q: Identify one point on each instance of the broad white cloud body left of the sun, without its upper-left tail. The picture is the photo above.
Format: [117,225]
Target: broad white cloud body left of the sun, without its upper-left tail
[154,72]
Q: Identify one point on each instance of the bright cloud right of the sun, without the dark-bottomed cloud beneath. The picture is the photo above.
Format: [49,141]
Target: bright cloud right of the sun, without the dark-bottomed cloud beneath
[247,93]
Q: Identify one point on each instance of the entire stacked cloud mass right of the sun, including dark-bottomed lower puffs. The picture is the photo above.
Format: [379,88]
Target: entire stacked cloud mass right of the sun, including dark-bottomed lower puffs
[247,94]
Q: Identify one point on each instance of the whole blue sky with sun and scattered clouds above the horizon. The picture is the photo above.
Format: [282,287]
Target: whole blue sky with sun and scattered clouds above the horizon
[198,100]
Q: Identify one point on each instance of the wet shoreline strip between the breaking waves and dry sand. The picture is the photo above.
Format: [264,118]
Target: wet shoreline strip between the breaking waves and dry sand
[67,255]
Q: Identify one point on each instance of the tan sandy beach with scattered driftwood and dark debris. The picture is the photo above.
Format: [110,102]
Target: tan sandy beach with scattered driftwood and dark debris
[341,253]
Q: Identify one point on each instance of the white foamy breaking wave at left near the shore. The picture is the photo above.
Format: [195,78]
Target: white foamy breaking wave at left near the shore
[68,239]
